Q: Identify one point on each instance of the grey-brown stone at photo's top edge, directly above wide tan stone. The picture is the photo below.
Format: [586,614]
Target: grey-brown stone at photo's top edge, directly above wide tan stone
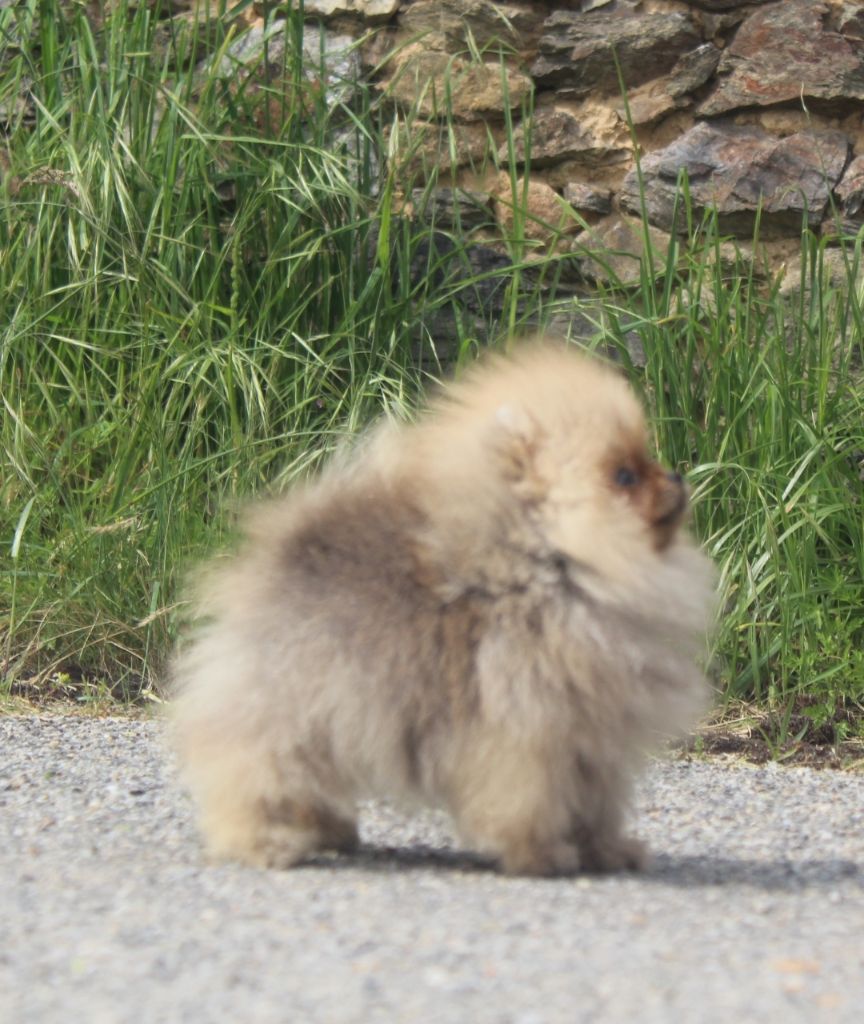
[449,24]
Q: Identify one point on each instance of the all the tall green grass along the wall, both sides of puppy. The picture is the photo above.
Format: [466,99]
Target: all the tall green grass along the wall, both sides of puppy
[207,282]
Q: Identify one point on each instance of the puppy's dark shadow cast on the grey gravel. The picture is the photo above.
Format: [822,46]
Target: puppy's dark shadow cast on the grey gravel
[686,871]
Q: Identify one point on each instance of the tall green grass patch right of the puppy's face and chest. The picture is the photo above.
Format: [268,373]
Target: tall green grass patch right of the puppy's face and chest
[761,400]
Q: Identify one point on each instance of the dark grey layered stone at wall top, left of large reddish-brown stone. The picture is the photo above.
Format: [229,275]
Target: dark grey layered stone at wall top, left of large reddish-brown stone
[577,53]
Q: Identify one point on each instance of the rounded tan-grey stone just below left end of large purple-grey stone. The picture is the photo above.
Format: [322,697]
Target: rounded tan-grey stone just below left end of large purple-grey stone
[621,243]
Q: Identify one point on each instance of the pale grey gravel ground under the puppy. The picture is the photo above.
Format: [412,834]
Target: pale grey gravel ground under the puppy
[753,909]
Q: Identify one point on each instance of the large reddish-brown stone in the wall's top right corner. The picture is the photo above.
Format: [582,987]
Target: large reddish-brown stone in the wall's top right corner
[784,52]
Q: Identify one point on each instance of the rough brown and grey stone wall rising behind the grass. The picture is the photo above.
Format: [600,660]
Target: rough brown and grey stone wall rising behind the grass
[762,104]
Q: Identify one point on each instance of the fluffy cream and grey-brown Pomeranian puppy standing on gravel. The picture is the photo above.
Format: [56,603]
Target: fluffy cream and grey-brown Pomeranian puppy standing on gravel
[492,611]
